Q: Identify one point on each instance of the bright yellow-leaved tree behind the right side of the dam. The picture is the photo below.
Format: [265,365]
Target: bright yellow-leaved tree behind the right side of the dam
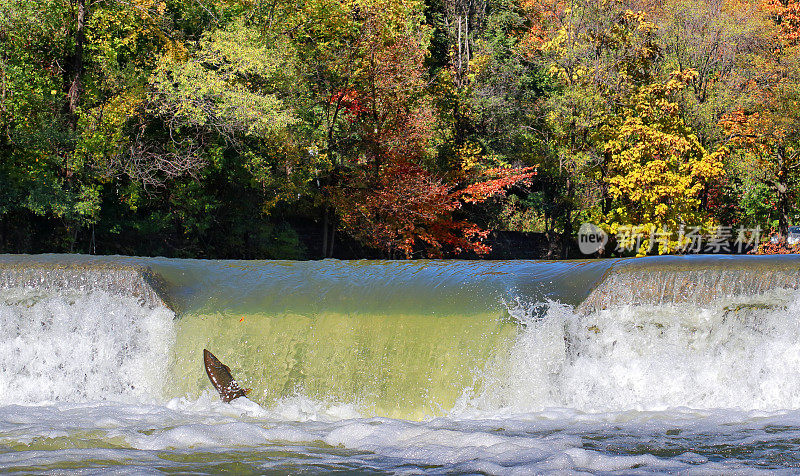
[657,166]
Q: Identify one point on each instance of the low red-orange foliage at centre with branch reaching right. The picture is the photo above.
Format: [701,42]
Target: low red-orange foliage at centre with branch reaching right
[406,209]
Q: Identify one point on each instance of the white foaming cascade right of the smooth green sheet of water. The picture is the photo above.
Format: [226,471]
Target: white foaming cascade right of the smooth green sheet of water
[742,354]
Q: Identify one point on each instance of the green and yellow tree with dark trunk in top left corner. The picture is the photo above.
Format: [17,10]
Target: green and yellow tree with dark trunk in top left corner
[62,62]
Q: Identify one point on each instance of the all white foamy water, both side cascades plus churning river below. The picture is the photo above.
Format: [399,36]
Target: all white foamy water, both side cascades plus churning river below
[630,390]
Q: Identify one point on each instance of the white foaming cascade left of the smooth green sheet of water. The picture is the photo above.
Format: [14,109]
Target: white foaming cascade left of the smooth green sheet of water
[74,346]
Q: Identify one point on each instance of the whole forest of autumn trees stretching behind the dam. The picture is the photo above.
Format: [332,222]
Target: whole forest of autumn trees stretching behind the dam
[411,128]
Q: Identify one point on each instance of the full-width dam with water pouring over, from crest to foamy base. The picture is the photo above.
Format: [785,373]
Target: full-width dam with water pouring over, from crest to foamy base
[410,339]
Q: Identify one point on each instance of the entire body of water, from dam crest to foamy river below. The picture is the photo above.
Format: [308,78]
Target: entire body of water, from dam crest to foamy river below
[425,367]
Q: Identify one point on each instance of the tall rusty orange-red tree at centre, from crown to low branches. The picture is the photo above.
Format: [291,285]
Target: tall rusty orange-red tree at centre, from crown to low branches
[386,199]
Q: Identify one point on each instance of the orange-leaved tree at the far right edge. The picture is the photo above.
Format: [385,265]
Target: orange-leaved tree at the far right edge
[762,129]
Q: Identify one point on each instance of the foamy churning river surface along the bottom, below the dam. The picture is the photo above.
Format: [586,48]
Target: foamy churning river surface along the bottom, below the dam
[207,436]
